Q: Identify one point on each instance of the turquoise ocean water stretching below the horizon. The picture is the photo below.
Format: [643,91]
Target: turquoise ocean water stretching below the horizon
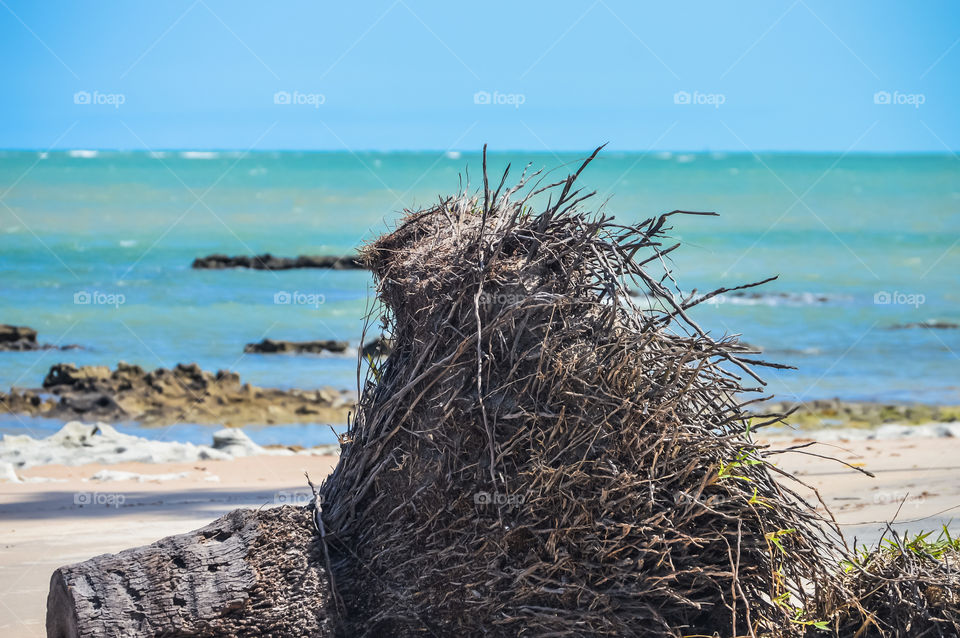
[860,243]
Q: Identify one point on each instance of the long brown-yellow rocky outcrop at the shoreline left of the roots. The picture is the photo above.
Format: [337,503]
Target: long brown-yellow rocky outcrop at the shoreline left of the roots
[185,394]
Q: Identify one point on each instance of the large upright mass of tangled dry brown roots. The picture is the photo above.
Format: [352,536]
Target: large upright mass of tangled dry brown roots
[541,456]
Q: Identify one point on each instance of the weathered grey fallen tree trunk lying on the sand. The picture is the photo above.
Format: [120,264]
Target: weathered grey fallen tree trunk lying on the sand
[249,573]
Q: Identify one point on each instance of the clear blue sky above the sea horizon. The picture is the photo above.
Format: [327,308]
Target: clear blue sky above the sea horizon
[804,75]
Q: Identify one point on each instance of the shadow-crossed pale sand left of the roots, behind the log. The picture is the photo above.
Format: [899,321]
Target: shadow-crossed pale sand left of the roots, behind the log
[44,526]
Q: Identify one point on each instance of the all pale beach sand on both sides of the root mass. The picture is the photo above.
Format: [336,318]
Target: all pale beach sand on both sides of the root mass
[44,526]
